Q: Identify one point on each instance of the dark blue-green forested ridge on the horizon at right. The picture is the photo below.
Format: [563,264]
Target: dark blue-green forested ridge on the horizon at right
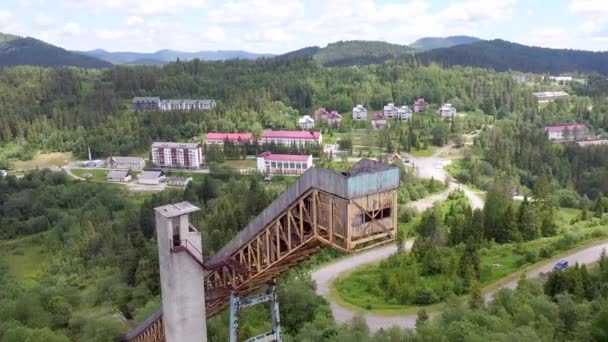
[501,55]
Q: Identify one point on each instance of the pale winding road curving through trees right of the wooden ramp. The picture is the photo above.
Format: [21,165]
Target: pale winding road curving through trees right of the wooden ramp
[425,167]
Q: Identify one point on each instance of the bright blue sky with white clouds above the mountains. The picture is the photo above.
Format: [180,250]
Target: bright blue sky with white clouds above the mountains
[276,26]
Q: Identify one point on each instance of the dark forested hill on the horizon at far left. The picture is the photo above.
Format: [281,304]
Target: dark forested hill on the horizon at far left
[15,50]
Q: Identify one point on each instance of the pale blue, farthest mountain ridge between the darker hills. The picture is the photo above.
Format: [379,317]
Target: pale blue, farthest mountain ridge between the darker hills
[166,56]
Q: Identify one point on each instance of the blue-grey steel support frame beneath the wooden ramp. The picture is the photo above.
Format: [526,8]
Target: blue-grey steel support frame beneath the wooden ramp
[237,303]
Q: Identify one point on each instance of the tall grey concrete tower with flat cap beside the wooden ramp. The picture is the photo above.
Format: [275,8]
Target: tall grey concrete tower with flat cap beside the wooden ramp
[181,274]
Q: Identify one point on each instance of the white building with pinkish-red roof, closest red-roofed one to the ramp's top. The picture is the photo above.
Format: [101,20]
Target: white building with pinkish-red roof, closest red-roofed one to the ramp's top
[269,163]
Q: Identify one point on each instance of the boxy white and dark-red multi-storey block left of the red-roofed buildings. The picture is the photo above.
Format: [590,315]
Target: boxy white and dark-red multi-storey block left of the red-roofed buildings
[178,155]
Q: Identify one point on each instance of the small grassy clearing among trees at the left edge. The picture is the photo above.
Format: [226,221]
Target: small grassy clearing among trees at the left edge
[26,258]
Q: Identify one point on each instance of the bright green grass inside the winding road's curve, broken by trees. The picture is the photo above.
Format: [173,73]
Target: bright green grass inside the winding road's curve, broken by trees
[498,264]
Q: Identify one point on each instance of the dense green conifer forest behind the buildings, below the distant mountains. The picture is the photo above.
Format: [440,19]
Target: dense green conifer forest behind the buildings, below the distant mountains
[68,109]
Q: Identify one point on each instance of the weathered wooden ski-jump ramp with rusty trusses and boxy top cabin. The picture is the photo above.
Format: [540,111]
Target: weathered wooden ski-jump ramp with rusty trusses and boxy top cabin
[349,212]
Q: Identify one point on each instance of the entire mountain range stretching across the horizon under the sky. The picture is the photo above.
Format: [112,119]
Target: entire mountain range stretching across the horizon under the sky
[455,50]
